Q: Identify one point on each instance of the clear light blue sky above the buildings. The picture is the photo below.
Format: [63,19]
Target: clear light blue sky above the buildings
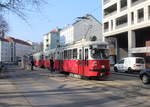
[52,14]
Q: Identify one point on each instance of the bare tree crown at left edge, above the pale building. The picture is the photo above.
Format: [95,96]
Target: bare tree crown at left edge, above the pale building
[3,26]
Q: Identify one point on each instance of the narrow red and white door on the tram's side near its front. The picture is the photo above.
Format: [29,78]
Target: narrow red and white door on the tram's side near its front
[81,61]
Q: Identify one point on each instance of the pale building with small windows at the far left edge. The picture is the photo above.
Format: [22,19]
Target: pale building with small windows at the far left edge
[5,50]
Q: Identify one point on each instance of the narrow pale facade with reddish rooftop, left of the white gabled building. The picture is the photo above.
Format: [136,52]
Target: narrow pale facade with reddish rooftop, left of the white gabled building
[51,39]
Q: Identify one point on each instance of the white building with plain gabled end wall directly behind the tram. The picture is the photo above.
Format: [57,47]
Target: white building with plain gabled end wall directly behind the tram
[86,27]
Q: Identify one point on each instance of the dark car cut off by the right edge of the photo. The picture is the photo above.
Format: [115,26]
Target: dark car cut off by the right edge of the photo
[145,76]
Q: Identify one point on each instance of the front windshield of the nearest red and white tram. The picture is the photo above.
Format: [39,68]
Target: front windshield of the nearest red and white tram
[99,53]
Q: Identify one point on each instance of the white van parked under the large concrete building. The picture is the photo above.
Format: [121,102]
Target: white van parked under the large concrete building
[130,64]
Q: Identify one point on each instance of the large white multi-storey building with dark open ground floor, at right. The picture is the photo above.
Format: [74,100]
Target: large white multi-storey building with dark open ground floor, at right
[127,27]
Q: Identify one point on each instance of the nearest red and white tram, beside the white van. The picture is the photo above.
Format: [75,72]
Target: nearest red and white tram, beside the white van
[89,59]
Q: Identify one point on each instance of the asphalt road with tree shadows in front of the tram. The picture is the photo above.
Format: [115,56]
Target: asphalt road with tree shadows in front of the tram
[40,88]
